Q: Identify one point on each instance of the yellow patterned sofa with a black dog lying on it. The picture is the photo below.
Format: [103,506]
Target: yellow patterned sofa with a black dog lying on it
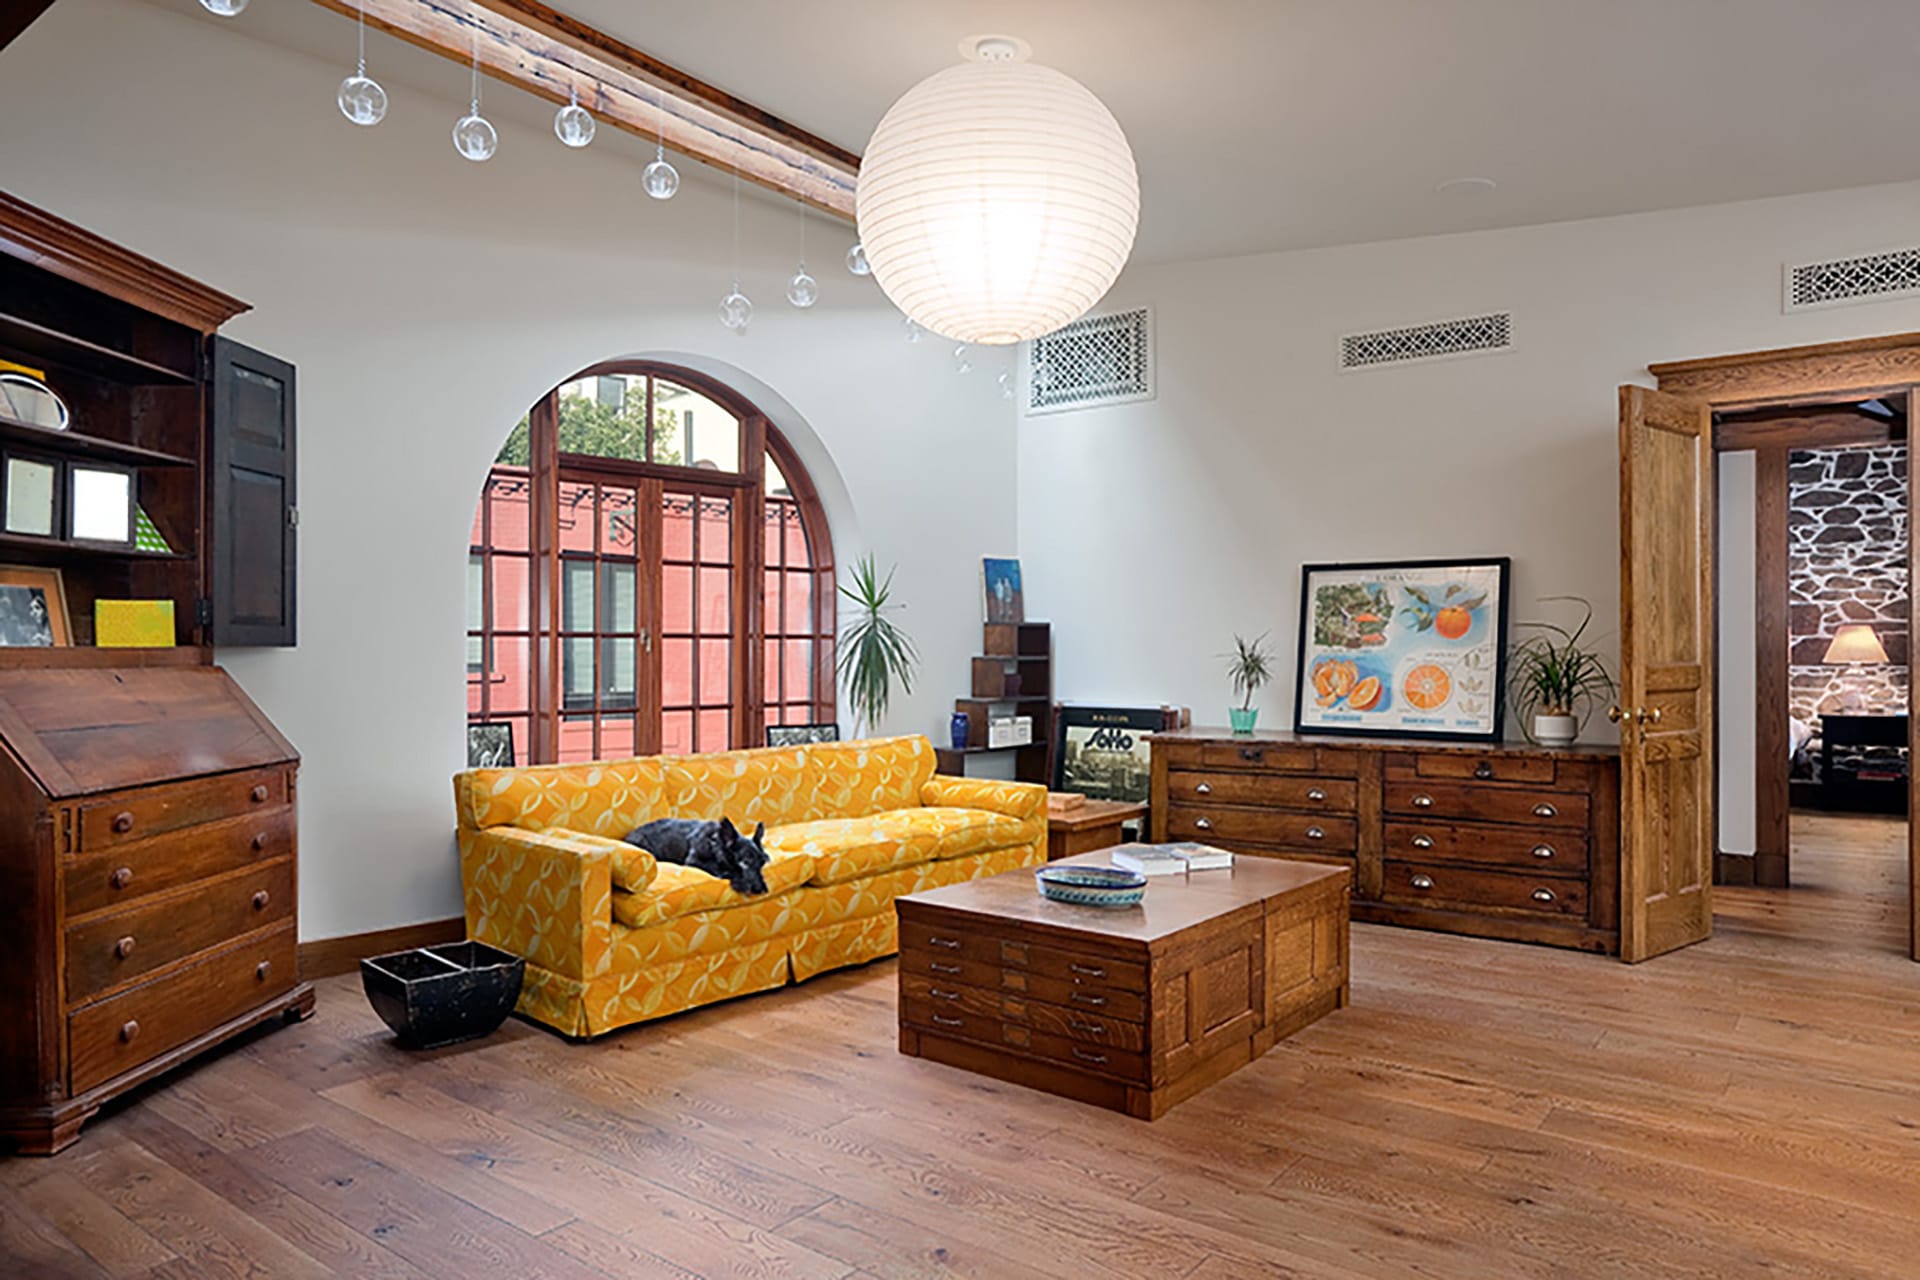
[612,937]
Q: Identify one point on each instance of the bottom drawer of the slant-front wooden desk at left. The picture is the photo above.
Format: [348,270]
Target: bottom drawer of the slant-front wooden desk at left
[118,1035]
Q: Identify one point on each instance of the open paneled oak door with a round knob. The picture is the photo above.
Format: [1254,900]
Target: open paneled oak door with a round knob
[1666,713]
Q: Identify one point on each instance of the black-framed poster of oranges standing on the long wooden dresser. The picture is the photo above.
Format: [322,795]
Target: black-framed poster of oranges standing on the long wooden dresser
[1404,650]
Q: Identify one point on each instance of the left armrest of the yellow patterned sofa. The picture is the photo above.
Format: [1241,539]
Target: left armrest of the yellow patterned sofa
[544,895]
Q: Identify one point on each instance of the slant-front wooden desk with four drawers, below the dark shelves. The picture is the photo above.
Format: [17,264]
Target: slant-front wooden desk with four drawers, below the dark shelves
[147,880]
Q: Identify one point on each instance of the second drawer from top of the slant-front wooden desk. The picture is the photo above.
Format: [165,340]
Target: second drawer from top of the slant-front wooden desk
[132,872]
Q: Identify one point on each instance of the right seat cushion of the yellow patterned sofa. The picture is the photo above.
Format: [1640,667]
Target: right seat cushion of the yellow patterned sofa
[852,847]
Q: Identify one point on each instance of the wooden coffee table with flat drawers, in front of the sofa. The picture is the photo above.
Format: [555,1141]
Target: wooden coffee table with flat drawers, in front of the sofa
[1134,1008]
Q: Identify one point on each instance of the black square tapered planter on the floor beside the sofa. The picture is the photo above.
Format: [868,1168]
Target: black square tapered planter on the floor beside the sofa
[444,995]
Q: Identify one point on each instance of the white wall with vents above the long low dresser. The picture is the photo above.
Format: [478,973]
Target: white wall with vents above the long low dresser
[1151,533]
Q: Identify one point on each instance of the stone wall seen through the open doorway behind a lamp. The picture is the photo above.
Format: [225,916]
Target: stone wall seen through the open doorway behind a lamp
[1848,563]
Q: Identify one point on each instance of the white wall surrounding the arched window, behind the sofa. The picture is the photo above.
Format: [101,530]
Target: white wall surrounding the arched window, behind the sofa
[427,302]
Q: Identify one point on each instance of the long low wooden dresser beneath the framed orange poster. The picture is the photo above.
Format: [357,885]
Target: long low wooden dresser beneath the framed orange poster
[1504,841]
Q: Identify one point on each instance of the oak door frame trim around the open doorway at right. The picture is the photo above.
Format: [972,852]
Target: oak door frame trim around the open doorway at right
[1821,375]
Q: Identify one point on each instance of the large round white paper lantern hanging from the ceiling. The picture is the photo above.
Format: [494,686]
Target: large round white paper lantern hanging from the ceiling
[997,201]
